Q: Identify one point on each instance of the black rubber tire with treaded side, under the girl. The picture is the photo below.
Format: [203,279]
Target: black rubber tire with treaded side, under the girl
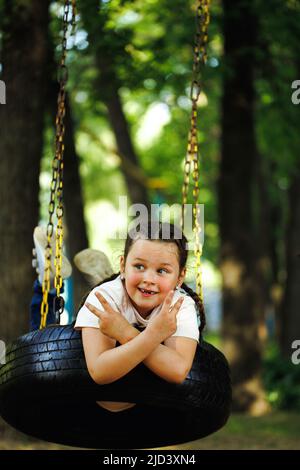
[47,392]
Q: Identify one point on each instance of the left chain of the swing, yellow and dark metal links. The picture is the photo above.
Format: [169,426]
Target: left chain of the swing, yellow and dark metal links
[56,186]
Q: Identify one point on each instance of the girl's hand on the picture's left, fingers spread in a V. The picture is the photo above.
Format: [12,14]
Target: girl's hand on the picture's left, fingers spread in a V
[112,323]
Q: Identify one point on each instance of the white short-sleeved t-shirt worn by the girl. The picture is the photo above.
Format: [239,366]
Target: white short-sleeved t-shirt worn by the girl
[115,293]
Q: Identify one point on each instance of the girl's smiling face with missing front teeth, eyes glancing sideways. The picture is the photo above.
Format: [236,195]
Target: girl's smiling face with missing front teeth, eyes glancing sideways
[151,271]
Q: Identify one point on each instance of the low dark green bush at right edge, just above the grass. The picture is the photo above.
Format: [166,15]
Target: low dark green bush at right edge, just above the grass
[282,380]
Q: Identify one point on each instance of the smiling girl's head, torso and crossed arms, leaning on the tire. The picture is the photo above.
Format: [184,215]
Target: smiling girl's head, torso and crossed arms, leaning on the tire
[149,292]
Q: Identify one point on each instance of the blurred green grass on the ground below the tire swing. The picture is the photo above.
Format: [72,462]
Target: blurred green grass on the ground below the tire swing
[277,430]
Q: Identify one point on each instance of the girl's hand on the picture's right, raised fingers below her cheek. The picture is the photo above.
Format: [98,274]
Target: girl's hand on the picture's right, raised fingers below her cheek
[165,323]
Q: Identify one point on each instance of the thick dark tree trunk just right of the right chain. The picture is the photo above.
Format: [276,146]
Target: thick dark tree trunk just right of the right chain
[243,300]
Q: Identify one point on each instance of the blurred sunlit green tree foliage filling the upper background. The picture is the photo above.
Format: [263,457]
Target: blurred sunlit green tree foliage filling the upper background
[150,47]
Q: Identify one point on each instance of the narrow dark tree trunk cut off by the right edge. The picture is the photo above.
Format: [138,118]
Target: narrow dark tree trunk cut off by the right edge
[290,319]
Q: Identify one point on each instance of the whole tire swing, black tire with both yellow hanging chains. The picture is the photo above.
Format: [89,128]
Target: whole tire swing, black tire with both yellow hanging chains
[45,388]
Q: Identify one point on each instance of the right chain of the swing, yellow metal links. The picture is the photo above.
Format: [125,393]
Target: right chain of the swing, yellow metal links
[191,164]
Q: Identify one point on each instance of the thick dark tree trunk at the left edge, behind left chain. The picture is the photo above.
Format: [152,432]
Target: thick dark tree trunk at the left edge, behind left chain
[24,54]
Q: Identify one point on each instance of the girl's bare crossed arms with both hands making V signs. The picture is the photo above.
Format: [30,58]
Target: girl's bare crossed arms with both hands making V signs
[106,363]
